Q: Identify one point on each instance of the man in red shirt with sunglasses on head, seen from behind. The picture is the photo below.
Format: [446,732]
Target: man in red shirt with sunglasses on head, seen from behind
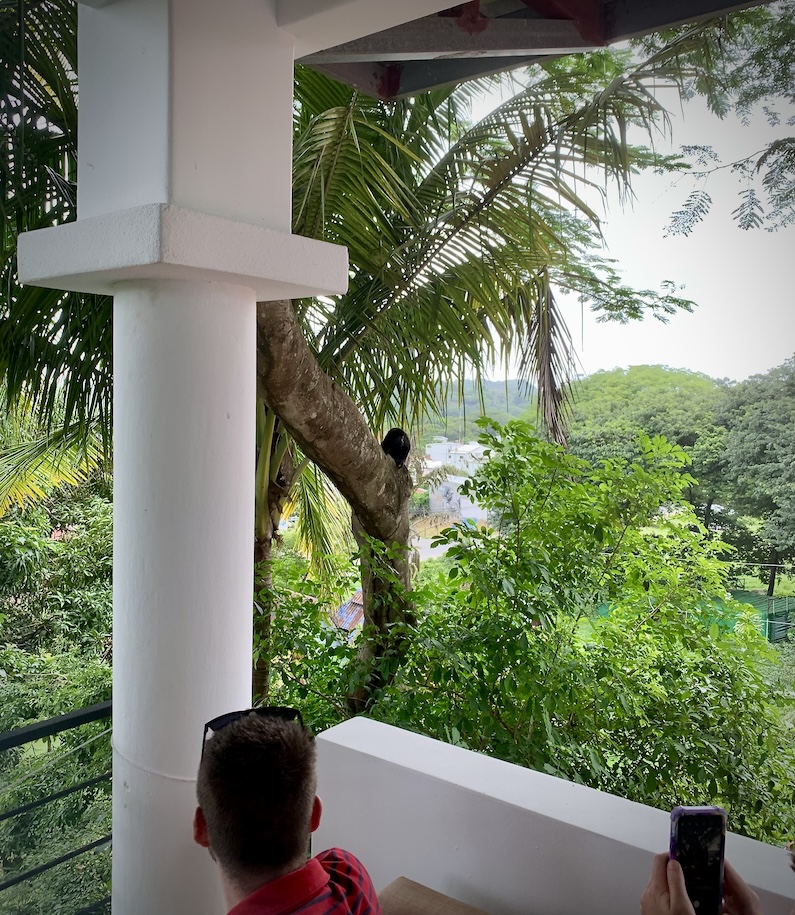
[257,808]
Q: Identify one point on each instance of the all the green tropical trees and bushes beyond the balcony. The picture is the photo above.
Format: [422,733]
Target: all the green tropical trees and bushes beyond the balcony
[588,632]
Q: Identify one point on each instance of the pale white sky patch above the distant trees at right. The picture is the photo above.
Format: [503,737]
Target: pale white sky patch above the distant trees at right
[741,281]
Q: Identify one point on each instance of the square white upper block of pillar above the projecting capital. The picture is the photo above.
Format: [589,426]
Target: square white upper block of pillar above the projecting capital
[187,102]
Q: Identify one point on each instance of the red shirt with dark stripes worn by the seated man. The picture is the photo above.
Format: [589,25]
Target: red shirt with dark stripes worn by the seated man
[333,883]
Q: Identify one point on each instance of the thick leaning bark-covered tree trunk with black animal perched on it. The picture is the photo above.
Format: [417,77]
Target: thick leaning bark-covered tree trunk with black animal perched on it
[331,431]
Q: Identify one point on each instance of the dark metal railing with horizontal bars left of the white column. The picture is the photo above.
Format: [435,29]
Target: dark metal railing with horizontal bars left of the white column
[21,861]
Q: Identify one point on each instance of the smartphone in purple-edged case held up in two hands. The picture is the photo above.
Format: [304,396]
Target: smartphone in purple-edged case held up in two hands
[698,841]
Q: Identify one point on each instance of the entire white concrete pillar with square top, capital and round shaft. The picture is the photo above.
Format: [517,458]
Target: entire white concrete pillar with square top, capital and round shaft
[184,209]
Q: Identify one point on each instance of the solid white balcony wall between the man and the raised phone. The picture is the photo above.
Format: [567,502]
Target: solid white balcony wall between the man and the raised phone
[507,839]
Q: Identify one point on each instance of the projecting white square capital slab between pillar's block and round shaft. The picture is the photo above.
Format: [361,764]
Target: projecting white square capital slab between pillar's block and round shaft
[162,241]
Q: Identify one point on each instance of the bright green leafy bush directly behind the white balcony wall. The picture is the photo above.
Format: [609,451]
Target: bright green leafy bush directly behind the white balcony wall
[662,699]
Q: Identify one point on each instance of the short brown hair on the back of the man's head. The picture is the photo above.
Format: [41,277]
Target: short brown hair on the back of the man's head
[256,787]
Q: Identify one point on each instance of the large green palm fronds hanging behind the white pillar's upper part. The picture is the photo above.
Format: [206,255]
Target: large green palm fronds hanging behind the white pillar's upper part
[445,220]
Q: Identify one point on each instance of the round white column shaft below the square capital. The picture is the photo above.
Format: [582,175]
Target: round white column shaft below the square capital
[184,370]
